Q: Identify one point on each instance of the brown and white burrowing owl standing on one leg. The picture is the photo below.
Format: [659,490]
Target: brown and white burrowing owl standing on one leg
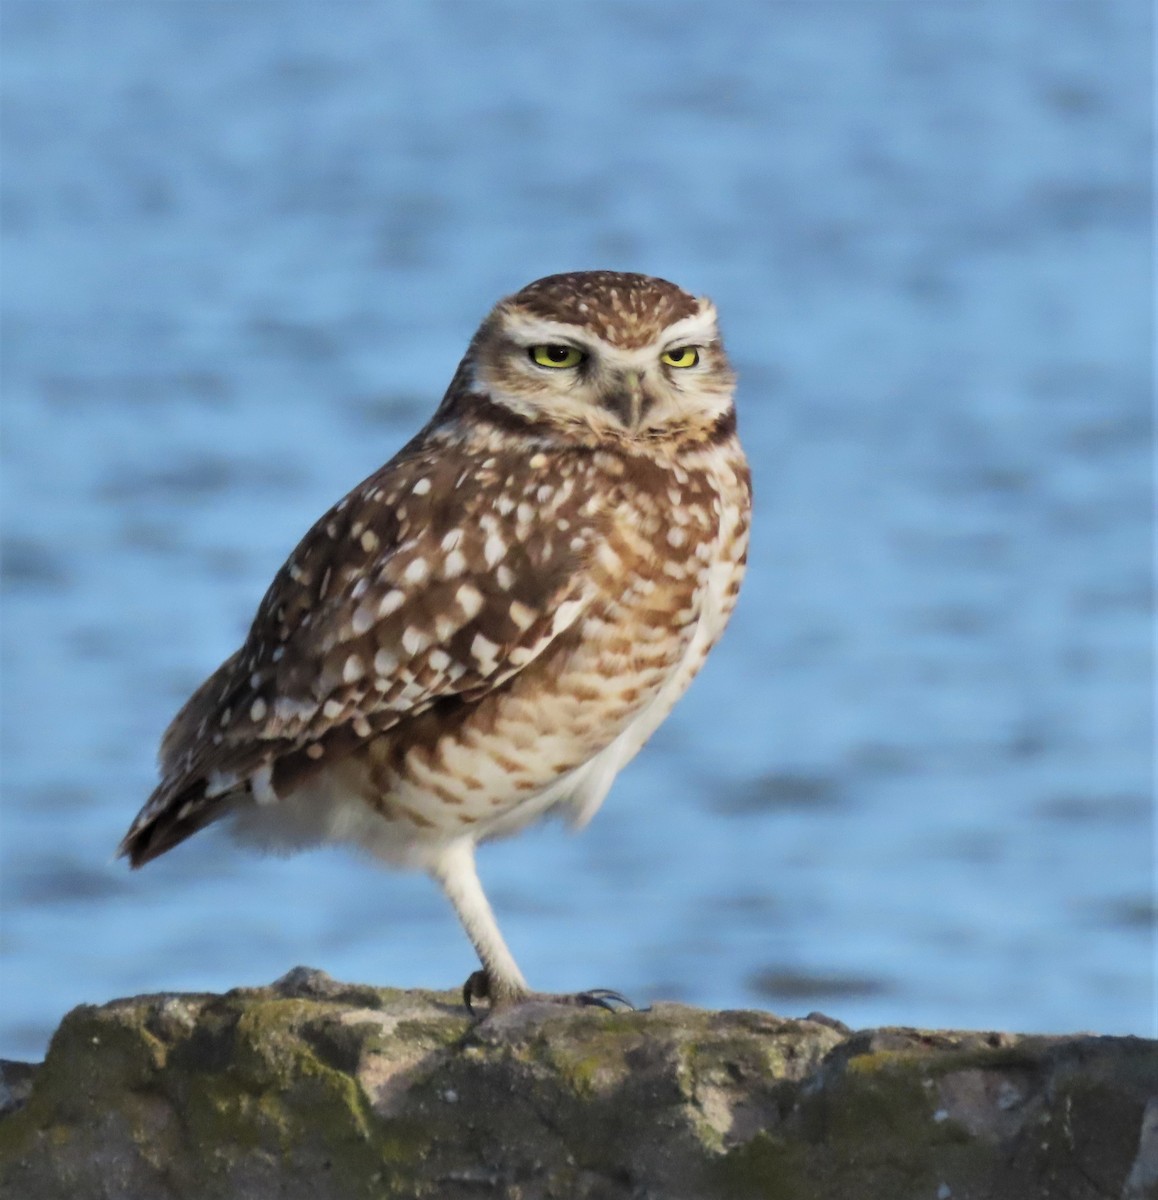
[494,623]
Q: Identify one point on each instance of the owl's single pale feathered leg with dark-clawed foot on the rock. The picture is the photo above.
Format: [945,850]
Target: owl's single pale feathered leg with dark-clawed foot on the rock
[501,982]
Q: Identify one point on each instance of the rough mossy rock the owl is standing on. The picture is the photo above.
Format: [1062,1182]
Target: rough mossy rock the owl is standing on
[320,1090]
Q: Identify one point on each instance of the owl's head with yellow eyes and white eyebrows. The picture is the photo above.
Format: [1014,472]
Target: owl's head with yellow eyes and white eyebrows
[605,356]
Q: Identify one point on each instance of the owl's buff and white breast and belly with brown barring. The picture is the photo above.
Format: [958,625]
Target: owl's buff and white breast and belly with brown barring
[658,587]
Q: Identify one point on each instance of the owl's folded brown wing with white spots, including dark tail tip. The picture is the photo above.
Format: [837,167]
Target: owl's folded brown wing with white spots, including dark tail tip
[441,577]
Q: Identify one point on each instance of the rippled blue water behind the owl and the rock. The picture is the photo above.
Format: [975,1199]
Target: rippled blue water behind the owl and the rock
[244,248]
